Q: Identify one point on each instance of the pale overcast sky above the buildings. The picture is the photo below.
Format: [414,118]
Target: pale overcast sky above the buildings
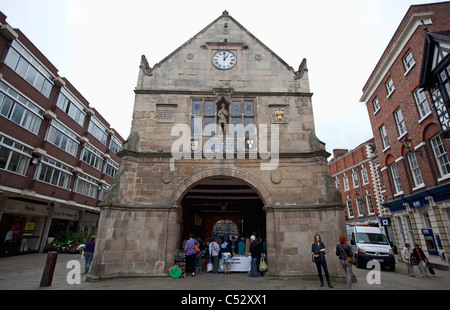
[97,45]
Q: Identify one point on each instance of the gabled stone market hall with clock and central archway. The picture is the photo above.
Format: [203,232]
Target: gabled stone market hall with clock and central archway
[222,135]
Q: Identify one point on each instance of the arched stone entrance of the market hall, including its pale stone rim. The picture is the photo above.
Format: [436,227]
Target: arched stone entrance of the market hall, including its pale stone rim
[214,194]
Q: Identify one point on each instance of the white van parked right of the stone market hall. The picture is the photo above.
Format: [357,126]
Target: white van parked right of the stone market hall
[369,243]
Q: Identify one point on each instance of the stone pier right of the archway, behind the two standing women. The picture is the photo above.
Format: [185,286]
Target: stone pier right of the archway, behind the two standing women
[290,234]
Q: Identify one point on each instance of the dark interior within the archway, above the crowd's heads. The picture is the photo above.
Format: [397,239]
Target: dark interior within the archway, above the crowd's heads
[215,199]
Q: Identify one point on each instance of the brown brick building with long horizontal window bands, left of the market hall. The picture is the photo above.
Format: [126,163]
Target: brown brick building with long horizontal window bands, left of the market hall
[57,153]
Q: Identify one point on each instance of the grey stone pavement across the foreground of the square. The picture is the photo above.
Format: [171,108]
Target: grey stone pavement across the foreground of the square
[24,273]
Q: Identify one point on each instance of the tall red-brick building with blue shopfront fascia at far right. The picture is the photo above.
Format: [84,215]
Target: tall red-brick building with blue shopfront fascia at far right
[412,154]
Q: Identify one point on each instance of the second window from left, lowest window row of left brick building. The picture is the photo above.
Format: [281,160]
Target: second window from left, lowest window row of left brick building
[53,172]
